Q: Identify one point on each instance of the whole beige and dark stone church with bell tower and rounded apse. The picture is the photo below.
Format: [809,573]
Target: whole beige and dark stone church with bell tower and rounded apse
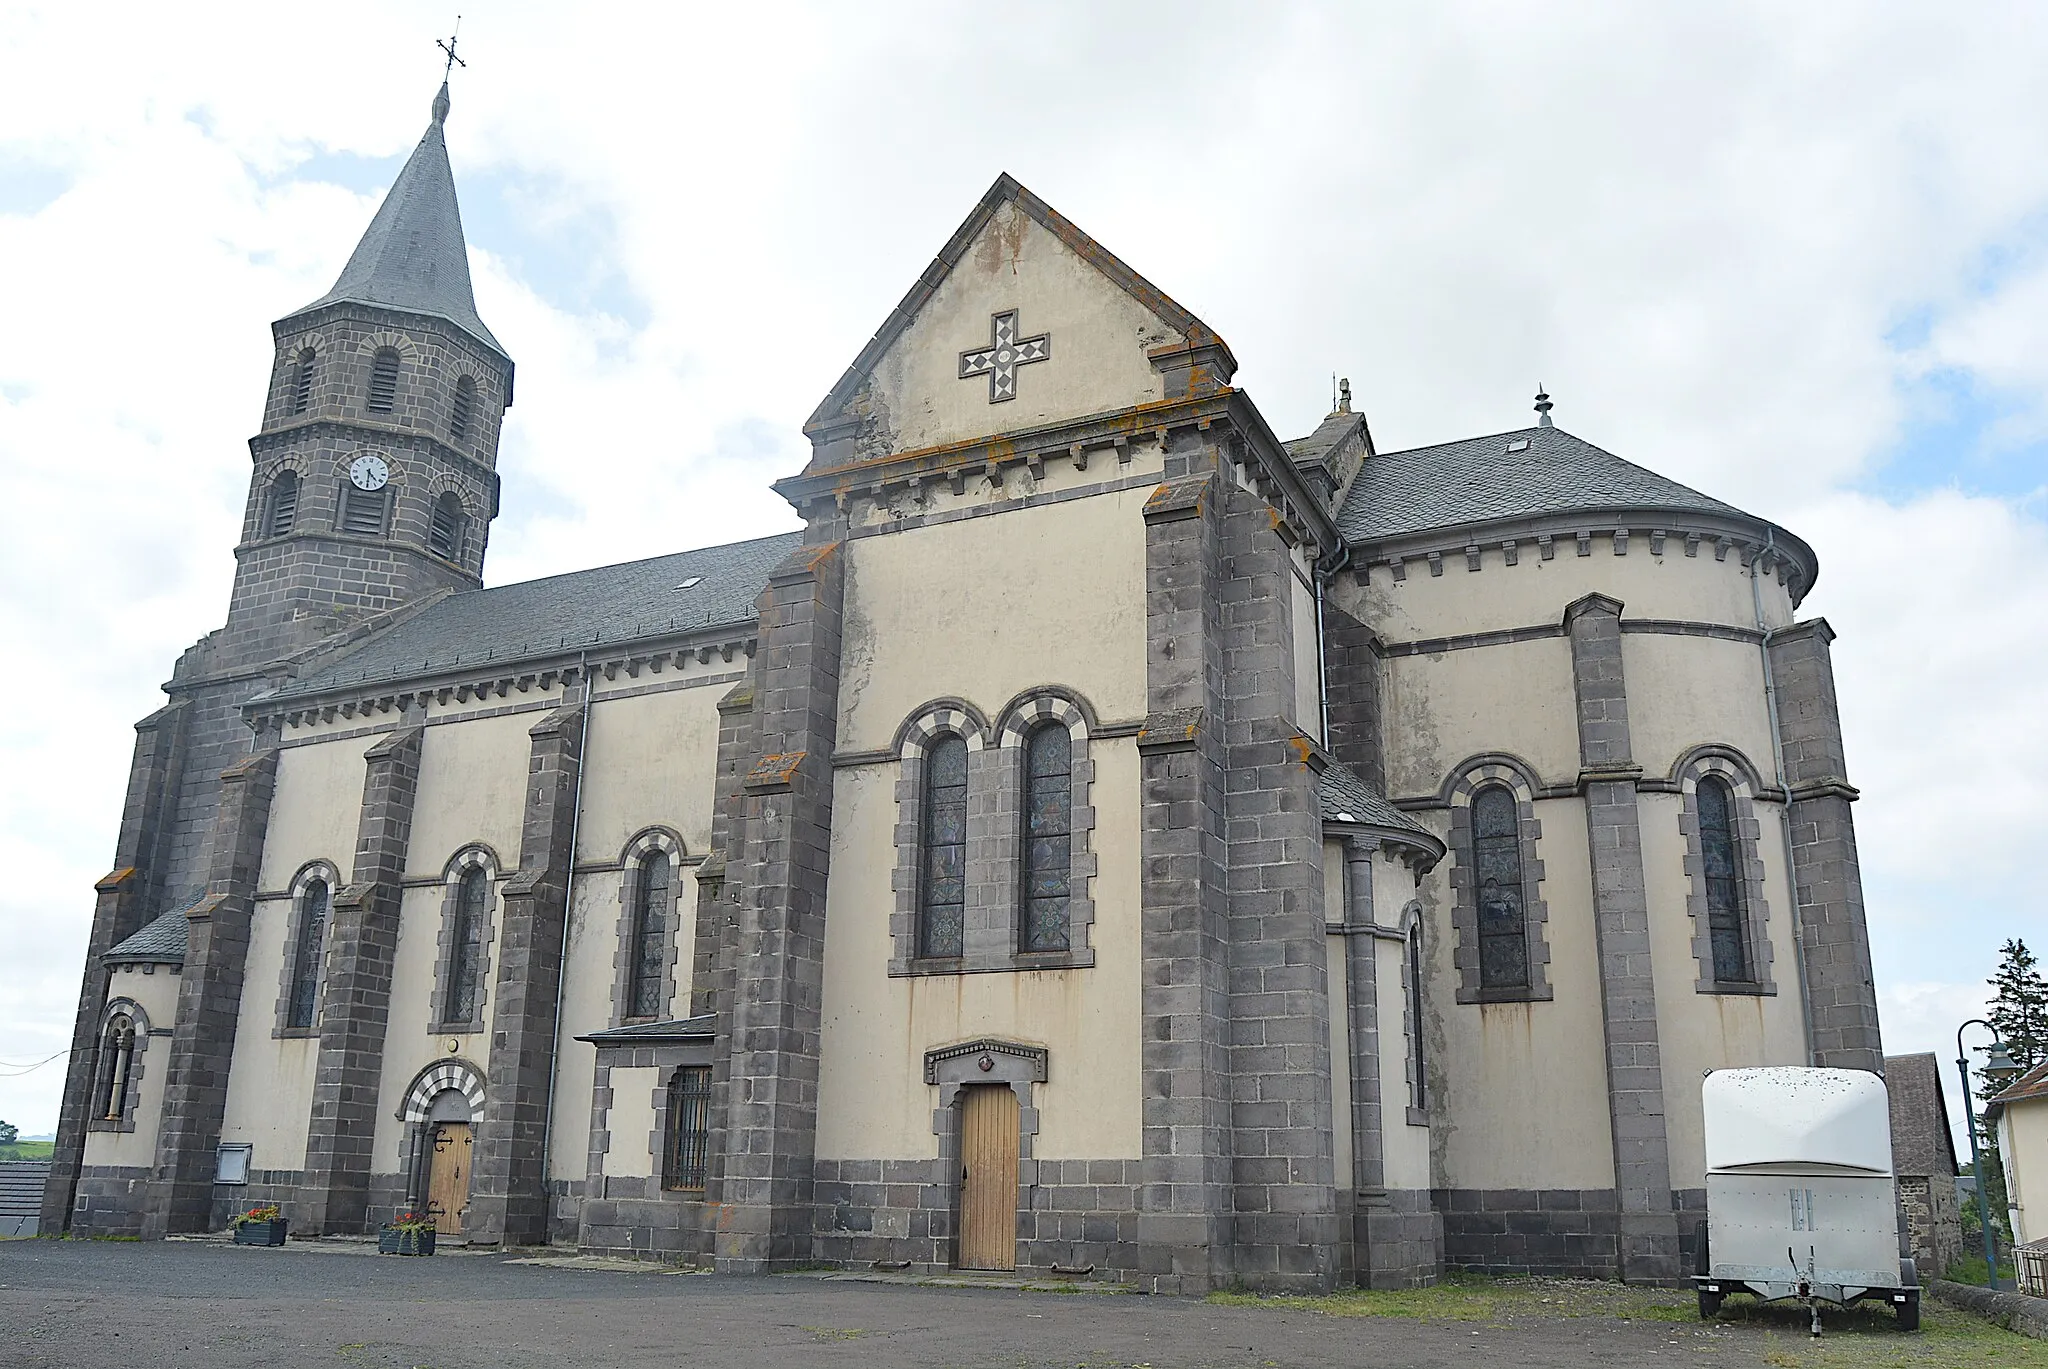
[1109,839]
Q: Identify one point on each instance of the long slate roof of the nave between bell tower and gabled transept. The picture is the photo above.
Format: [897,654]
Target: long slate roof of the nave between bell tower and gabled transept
[562,614]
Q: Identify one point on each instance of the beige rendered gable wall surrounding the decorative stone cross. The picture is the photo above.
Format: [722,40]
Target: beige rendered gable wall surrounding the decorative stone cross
[1099,362]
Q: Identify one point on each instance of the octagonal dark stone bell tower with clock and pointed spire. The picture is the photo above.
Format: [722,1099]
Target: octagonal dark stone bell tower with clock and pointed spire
[376,472]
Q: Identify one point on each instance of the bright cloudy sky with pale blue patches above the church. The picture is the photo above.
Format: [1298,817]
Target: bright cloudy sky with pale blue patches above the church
[1791,255]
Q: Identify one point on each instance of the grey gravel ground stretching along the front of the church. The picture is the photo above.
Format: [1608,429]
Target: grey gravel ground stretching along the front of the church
[179,1304]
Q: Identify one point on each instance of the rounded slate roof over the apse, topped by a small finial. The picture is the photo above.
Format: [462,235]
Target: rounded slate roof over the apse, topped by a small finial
[1480,481]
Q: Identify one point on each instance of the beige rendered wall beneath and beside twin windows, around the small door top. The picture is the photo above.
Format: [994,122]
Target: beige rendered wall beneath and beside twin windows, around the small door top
[873,1100]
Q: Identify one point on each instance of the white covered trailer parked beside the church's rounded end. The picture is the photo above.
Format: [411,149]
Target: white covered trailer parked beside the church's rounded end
[1801,1198]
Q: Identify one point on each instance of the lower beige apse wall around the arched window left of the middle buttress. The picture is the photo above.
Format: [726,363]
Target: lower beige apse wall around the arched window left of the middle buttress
[1521,1089]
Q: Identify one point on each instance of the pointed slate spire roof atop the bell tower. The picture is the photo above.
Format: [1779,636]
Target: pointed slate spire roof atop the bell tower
[413,257]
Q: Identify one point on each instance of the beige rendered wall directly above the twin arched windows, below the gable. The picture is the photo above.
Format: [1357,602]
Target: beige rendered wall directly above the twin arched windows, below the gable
[988,608]
